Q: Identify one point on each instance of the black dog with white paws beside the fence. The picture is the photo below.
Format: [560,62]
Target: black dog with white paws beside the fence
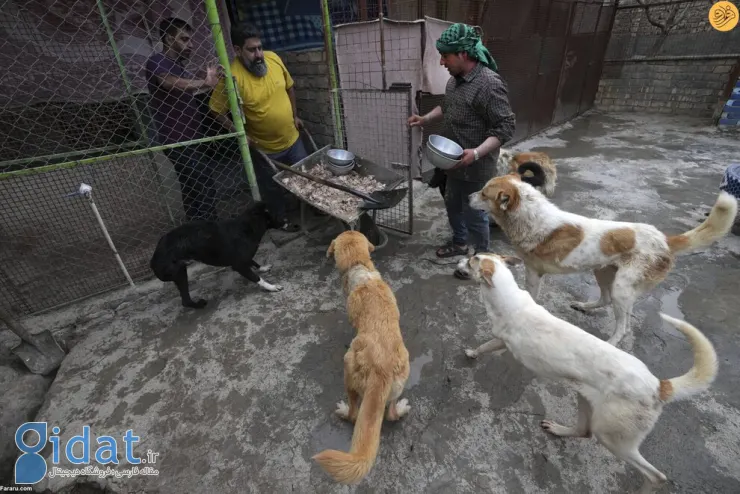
[231,242]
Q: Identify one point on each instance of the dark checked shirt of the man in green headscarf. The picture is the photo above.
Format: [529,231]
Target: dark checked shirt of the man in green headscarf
[476,107]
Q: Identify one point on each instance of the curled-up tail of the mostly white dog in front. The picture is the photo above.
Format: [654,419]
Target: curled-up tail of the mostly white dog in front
[701,375]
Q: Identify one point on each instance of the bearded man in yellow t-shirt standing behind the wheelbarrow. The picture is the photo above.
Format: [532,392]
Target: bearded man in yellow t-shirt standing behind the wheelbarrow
[265,90]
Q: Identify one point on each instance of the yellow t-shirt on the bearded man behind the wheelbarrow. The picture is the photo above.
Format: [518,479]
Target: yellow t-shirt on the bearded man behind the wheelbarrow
[265,104]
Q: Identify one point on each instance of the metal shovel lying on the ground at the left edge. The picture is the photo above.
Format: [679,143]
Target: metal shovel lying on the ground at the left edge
[39,352]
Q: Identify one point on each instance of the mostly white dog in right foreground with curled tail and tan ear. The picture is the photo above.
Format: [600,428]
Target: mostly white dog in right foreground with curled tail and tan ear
[619,399]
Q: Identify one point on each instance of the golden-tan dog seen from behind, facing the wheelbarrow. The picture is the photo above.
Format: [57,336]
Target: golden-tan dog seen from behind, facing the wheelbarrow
[376,366]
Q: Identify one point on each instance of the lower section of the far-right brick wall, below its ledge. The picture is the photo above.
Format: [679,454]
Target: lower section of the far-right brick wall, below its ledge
[694,87]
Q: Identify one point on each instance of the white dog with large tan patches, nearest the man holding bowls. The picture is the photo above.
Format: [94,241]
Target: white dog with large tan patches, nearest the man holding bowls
[627,259]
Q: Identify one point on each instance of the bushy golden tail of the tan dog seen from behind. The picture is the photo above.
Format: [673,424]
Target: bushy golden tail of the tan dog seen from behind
[350,468]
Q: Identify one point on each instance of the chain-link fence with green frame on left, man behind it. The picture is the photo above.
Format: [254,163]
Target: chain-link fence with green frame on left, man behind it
[90,95]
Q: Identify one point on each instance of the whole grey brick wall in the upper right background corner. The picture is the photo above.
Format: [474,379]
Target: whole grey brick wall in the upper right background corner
[685,70]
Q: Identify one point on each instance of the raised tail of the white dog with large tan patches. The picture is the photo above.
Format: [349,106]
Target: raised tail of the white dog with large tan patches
[716,226]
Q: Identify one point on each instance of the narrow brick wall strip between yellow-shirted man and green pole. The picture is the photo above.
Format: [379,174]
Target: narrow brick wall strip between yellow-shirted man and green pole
[310,72]
